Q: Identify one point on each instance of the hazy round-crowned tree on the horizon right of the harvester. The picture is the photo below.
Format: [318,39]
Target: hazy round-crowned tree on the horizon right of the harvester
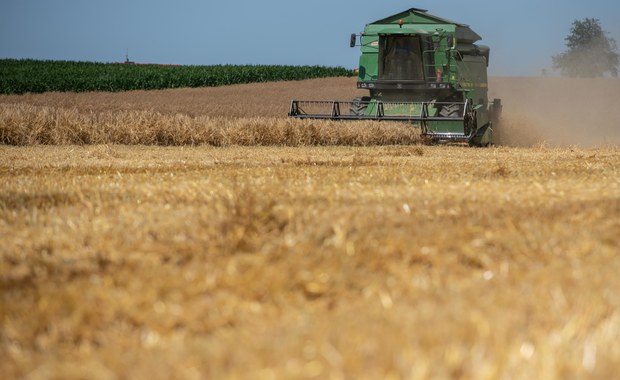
[590,52]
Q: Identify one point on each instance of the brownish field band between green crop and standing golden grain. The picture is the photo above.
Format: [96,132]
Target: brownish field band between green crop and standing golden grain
[266,100]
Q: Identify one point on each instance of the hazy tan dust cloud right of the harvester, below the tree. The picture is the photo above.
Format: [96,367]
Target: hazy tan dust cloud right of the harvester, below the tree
[558,111]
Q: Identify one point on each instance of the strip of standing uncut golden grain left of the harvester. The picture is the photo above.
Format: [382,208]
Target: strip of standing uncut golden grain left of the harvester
[23,124]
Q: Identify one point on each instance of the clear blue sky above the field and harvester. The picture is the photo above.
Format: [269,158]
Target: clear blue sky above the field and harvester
[523,35]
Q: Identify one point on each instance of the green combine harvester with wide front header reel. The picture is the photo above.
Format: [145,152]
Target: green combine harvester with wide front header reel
[421,69]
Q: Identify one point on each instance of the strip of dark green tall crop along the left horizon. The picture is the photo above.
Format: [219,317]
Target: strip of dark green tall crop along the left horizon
[21,76]
